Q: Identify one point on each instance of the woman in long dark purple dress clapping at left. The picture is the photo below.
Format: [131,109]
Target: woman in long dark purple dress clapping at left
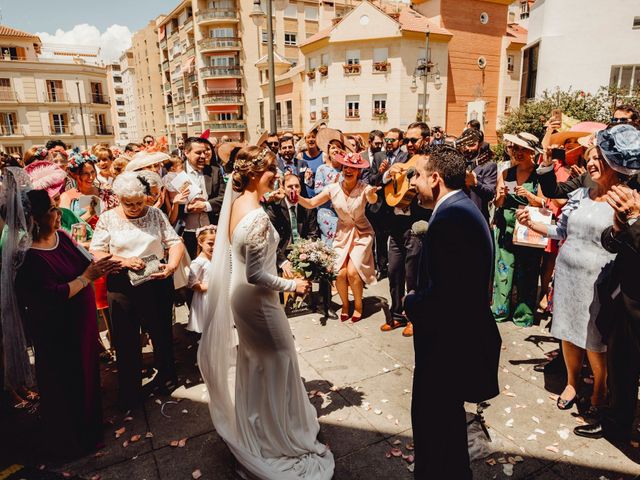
[58,305]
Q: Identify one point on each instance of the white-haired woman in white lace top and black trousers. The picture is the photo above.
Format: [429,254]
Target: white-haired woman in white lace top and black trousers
[148,250]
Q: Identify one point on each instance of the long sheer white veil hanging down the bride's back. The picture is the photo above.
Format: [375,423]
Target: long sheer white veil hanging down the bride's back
[217,351]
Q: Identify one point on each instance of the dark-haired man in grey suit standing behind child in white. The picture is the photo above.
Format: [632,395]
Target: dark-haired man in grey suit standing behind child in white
[205,209]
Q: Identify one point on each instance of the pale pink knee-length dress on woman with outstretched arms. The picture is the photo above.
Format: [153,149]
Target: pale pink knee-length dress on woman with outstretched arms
[354,234]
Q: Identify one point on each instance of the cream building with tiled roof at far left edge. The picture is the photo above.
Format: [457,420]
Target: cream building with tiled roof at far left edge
[60,96]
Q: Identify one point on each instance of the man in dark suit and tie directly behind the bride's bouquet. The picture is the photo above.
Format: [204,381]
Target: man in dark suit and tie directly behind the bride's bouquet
[285,216]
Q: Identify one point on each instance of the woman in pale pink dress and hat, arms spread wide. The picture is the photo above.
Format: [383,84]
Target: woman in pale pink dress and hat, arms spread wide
[353,242]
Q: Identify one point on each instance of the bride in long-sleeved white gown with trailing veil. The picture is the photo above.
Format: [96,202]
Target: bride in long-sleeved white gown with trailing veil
[256,397]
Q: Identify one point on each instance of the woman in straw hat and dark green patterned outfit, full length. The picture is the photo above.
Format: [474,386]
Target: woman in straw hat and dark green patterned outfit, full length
[515,266]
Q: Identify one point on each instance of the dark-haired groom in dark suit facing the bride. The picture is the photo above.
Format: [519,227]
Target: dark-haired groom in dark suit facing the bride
[456,341]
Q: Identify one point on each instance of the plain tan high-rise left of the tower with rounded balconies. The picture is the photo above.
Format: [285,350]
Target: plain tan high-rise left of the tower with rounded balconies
[145,59]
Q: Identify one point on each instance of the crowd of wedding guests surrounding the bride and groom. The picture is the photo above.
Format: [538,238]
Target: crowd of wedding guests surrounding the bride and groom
[118,238]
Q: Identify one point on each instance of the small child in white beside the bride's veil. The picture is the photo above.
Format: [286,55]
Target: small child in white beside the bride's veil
[198,271]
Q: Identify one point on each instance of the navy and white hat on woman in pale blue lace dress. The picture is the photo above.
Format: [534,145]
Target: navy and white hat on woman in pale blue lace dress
[620,147]
